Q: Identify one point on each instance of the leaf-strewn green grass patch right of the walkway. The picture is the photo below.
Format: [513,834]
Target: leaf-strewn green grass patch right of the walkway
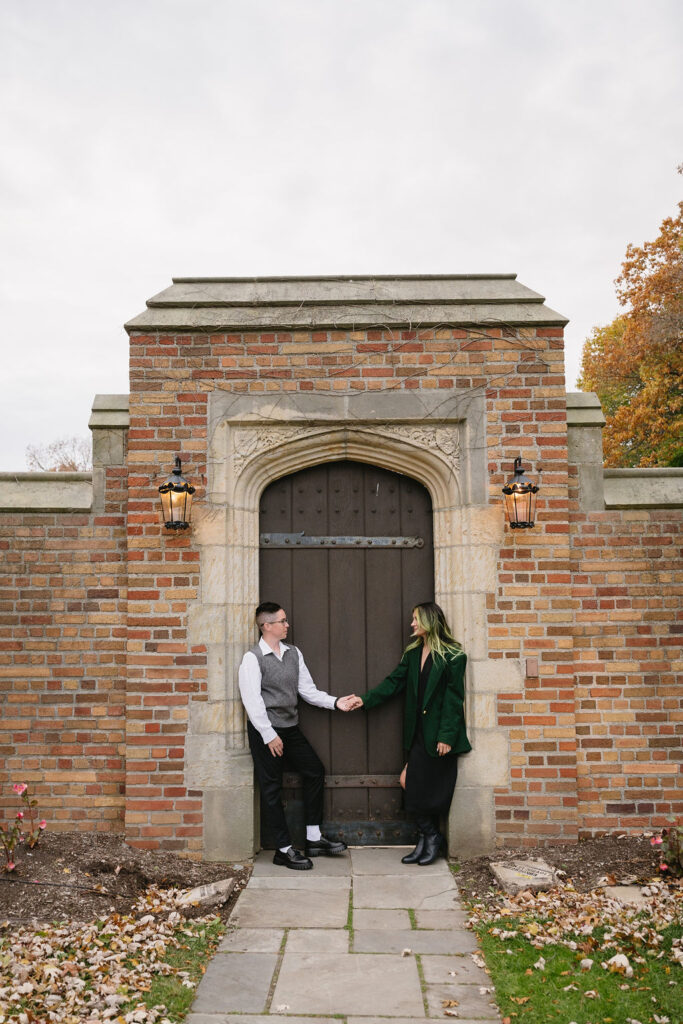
[542,992]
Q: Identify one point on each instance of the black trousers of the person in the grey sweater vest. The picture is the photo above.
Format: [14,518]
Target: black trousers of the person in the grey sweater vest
[298,756]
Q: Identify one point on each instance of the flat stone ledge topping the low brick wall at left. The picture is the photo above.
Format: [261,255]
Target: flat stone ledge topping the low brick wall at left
[46,492]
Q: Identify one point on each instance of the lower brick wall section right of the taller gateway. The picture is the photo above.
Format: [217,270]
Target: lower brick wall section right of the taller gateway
[628,570]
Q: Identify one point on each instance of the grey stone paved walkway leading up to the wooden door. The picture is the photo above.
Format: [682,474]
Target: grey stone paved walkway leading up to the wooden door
[306,947]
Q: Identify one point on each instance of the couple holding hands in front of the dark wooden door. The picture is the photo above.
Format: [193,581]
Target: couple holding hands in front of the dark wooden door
[274,676]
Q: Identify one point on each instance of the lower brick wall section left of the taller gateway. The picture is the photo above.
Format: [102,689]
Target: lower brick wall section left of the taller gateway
[63,653]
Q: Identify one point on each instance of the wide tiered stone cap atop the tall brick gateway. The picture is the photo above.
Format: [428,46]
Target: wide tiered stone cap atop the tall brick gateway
[346,303]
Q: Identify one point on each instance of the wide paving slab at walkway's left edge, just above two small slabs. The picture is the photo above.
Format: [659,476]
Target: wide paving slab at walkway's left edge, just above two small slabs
[291,909]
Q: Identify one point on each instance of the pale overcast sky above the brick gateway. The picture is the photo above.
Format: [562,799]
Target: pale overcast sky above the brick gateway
[143,140]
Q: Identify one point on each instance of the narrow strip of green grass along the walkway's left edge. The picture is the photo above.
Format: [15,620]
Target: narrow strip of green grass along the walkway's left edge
[194,955]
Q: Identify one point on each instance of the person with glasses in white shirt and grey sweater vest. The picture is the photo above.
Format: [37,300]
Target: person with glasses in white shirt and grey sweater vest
[273,677]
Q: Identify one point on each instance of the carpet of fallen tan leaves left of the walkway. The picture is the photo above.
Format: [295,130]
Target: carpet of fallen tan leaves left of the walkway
[69,973]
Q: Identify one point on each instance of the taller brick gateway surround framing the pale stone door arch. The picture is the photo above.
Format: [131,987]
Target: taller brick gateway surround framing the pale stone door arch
[522,374]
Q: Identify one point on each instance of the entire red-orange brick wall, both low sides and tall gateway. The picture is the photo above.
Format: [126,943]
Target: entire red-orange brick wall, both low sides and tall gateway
[586,601]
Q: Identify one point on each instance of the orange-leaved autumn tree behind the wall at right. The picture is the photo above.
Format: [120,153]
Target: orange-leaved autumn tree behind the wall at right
[635,364]
